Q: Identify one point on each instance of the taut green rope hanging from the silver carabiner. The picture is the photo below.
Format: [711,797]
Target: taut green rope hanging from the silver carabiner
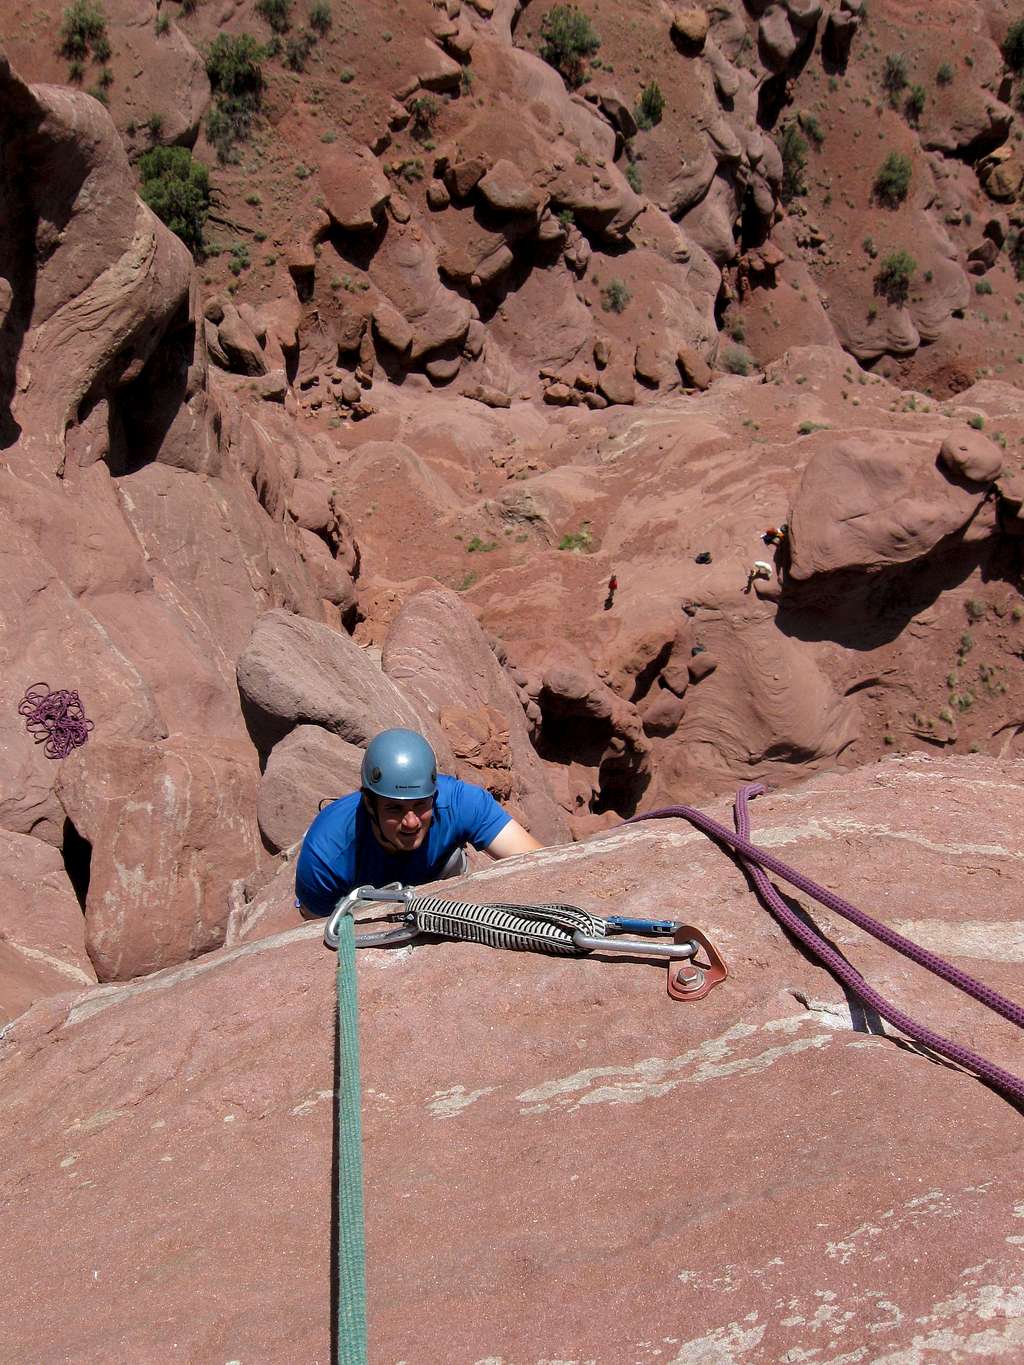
[352,1241]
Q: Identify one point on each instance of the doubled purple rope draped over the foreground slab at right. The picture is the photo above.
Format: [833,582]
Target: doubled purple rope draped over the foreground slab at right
[757,859]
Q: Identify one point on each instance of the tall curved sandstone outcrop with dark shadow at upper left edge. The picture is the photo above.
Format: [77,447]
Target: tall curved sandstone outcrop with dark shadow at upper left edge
[106,286]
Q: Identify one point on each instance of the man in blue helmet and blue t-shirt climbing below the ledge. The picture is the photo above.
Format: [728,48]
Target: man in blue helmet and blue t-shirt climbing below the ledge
[408,824]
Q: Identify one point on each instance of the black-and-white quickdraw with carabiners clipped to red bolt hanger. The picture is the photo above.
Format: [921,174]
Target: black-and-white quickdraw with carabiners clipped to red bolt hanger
[696,966]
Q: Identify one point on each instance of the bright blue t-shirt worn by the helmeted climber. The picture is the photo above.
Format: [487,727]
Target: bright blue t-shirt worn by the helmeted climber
[341,851]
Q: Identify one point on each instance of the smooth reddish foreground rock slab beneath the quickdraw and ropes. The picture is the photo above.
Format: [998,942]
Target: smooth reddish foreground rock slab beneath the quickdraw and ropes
[842,1188]
